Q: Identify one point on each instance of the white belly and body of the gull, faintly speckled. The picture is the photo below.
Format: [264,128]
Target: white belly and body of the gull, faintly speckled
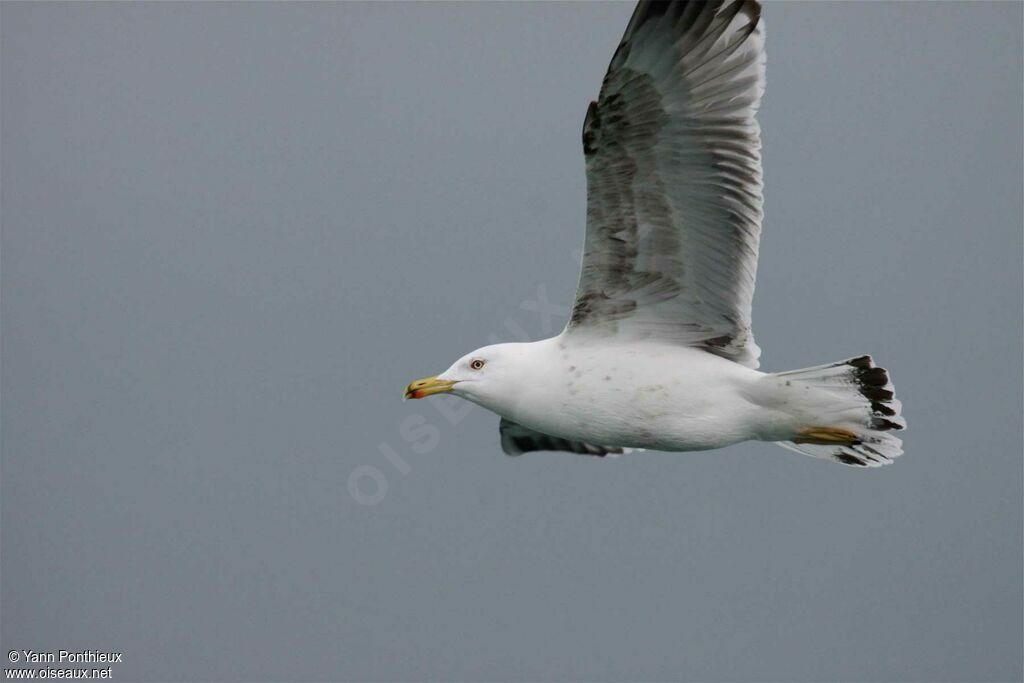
[649,397]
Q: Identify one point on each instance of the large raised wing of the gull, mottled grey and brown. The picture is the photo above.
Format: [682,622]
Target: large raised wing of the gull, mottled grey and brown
[674,201]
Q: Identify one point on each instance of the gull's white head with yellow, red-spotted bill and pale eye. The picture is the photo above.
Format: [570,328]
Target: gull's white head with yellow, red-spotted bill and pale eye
[491,376]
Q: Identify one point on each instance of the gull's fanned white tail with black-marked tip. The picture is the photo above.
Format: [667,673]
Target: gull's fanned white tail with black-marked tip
[855,415]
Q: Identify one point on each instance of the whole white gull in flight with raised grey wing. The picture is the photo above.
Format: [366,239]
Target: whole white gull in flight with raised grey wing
[658,353]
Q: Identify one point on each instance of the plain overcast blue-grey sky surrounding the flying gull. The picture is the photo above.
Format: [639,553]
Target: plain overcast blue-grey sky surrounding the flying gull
[233,233]
